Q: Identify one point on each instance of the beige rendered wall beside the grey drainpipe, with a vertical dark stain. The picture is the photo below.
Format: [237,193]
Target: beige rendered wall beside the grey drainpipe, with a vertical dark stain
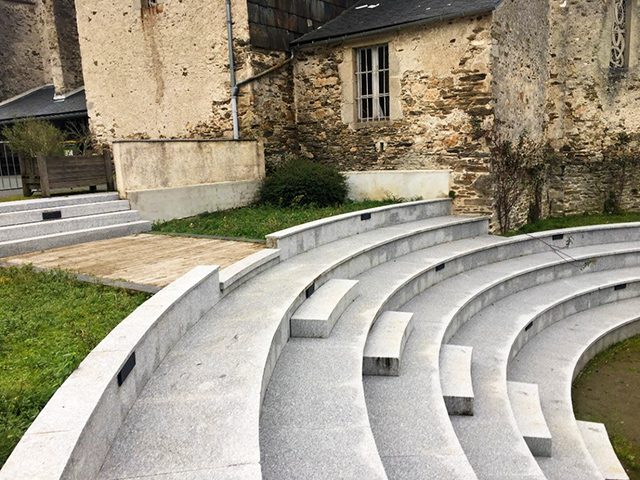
[160,72]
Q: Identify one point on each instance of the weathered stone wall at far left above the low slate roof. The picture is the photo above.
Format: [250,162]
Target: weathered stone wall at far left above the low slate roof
[23,64]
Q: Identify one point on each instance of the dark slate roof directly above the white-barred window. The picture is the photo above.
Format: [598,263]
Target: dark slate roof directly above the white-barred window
[371,16]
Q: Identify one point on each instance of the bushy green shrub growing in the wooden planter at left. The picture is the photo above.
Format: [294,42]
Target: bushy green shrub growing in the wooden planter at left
[29,136]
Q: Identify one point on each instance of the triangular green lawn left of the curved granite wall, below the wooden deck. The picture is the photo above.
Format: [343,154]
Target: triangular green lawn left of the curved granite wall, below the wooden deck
[48,323]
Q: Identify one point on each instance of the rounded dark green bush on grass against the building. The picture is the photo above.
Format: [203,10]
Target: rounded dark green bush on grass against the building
[303,182]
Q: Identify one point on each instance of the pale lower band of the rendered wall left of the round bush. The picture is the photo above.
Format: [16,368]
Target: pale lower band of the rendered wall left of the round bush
[179,202]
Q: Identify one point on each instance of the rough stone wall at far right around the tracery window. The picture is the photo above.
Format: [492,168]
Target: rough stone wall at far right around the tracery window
[589,104]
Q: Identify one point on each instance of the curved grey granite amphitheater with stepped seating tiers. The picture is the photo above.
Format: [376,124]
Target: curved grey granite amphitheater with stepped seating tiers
[400,342]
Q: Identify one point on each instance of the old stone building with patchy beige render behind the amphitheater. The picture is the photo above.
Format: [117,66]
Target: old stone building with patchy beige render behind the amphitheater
[367,86]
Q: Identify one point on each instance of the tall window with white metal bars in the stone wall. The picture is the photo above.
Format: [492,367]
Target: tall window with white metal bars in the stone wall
[372,73]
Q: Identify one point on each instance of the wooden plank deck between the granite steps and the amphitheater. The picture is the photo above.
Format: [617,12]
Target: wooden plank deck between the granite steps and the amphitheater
[145,258]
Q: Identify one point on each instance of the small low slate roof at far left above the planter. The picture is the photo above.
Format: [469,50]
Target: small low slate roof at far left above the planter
[39,104]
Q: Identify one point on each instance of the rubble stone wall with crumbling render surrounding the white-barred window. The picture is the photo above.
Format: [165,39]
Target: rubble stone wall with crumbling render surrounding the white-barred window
[443,89]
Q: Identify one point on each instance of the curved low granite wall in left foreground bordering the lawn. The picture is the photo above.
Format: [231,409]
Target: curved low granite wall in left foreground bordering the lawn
[74,432]
